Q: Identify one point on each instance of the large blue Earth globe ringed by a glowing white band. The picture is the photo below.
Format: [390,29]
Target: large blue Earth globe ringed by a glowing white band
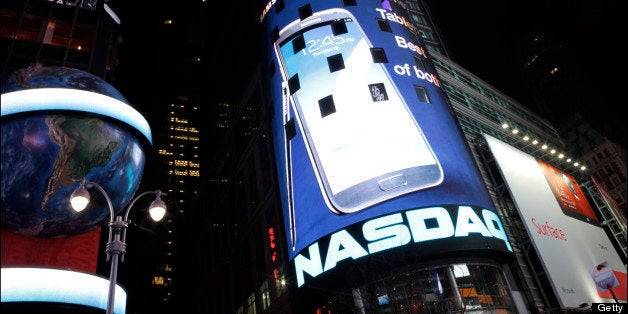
[59,125]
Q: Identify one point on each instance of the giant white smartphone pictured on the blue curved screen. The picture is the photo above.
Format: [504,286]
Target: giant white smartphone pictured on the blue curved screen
[361,137]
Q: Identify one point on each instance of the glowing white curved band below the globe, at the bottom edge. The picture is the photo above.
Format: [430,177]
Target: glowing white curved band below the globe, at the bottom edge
[58,286]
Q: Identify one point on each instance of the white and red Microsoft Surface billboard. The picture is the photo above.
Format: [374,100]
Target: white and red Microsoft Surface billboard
[565,231]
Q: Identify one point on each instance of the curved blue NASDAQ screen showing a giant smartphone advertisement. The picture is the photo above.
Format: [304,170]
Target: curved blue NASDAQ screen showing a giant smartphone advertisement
[369,154]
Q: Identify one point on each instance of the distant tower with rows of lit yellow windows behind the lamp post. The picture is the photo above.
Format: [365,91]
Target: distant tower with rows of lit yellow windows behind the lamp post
[178,169]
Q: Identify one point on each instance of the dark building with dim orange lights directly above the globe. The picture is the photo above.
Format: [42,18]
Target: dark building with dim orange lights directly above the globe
[79,35]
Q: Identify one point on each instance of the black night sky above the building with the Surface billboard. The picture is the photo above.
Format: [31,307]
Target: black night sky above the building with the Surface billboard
[482,37]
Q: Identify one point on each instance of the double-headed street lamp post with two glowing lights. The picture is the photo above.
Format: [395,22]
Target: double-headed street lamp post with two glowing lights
[116,244]
